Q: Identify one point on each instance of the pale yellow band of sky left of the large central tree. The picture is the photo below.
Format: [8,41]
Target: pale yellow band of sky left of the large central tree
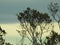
[10,28]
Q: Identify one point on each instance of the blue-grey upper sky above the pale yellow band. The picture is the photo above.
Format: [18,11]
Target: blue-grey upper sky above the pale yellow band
[9,8]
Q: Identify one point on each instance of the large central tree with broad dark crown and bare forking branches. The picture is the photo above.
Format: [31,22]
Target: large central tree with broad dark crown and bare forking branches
[30,19]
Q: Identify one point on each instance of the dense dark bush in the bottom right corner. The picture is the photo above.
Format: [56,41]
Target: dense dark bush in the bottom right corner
[53,39]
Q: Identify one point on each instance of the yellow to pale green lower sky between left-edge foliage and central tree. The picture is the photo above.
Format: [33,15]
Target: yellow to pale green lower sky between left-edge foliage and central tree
[12,35]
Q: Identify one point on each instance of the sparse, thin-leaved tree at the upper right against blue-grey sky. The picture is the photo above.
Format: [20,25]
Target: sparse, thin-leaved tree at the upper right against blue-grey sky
[54,8]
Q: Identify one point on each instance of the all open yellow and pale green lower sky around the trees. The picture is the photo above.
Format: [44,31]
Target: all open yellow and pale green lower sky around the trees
[12,34]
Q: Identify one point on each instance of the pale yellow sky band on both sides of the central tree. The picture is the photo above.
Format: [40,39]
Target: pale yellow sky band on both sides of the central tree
[12,27]
